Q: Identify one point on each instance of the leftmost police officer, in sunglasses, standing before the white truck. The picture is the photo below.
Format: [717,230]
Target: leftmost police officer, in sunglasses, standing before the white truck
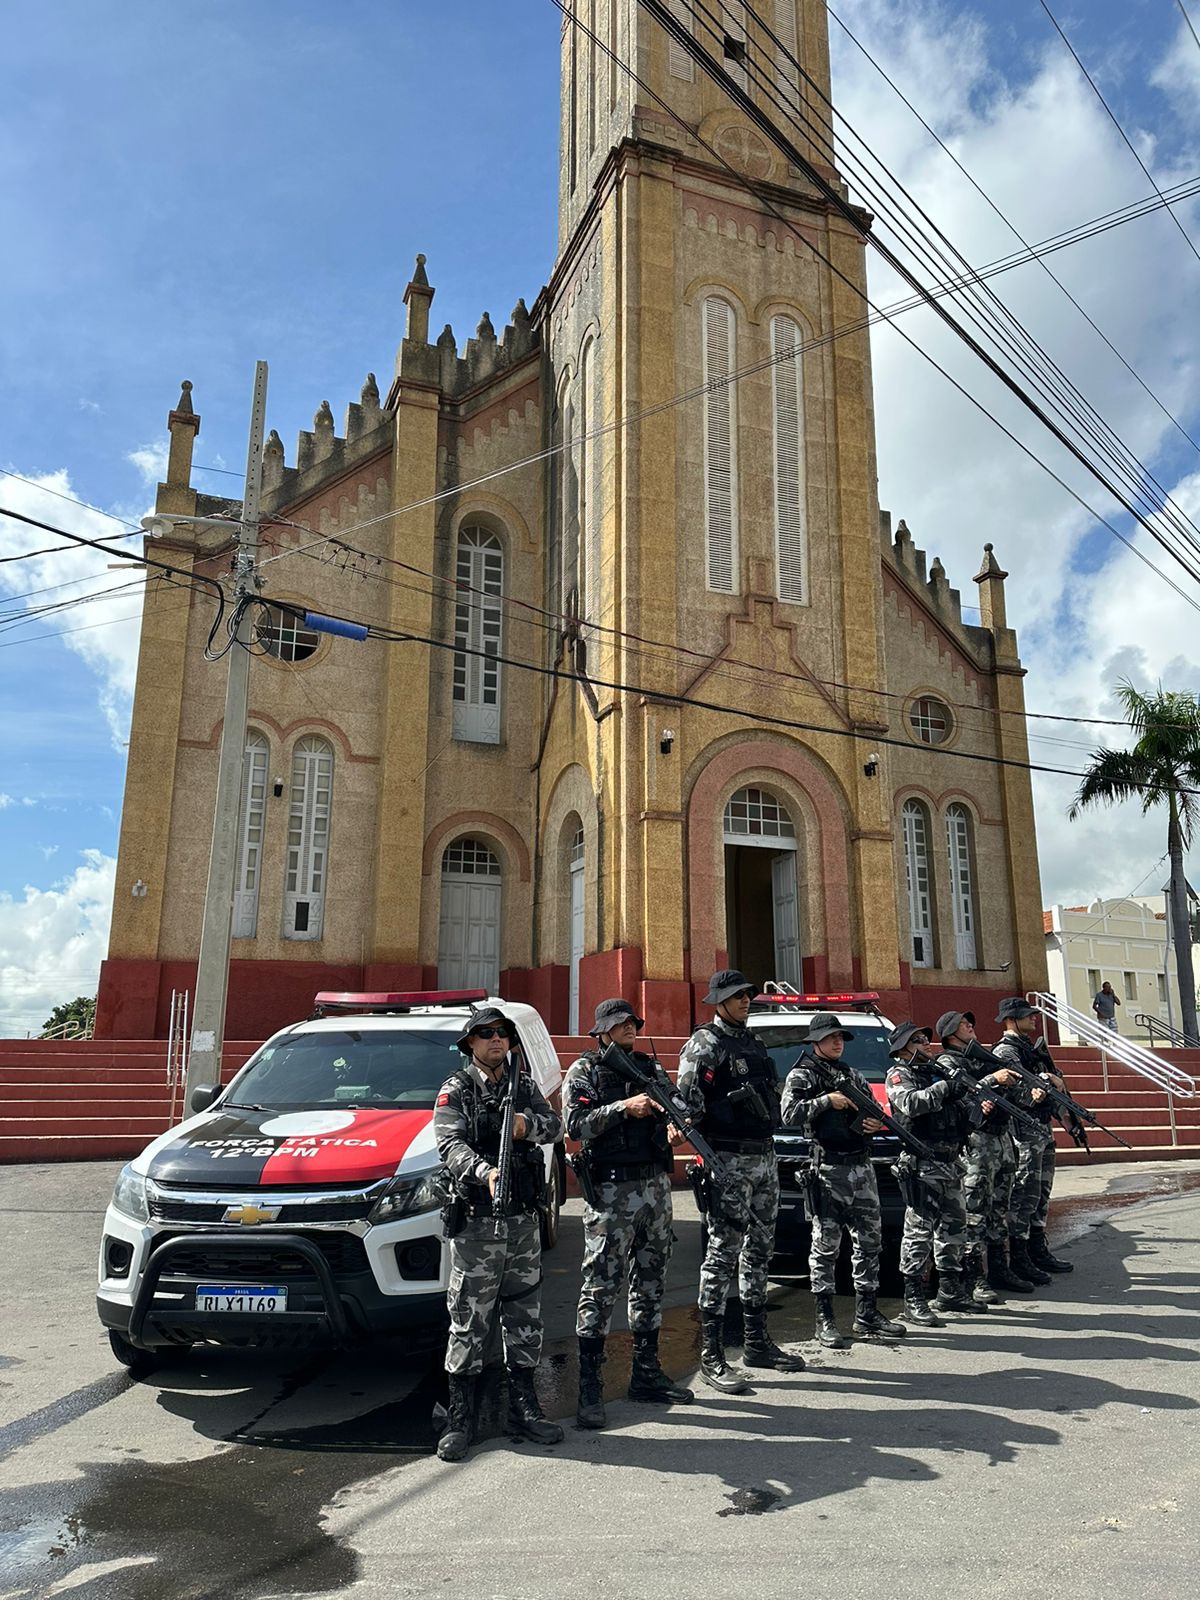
[495,1265]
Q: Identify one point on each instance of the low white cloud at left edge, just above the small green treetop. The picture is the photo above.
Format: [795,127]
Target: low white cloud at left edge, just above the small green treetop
[52,943]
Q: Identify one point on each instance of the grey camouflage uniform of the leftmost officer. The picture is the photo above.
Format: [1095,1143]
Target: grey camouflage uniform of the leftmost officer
[492,1270]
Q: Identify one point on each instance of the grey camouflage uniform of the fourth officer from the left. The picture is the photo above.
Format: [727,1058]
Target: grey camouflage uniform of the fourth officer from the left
[847,1190]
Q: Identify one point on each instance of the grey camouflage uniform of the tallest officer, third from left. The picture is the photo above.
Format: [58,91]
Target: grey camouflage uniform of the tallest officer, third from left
[742,1231]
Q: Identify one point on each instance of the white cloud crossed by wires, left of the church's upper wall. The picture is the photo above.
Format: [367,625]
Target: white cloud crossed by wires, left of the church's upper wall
[103,631]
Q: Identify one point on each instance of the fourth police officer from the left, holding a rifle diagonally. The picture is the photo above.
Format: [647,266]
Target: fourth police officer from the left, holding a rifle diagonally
[844,1193]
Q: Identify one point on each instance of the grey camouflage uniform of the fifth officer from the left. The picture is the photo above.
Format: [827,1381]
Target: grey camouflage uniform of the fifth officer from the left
[935,1223]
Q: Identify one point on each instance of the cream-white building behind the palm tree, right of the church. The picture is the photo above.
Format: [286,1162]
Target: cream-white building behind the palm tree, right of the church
[1121,942]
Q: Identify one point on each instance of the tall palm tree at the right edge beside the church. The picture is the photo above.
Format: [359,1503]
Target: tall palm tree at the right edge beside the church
[1161,769]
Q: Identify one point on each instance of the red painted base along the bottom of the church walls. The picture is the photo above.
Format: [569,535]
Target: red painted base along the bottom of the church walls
[135,998]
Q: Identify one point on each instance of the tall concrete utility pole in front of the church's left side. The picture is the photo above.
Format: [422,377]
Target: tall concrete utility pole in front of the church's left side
[212,980]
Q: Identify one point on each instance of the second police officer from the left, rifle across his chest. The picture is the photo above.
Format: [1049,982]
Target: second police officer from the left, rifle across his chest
[626,1175]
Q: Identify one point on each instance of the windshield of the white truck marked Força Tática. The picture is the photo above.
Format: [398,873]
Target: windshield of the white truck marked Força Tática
[370,1068]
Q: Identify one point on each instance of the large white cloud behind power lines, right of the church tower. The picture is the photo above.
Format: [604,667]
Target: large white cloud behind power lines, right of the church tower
[1087,610]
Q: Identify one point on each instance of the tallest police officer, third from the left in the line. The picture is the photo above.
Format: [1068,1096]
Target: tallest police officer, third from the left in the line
[730,1084]
